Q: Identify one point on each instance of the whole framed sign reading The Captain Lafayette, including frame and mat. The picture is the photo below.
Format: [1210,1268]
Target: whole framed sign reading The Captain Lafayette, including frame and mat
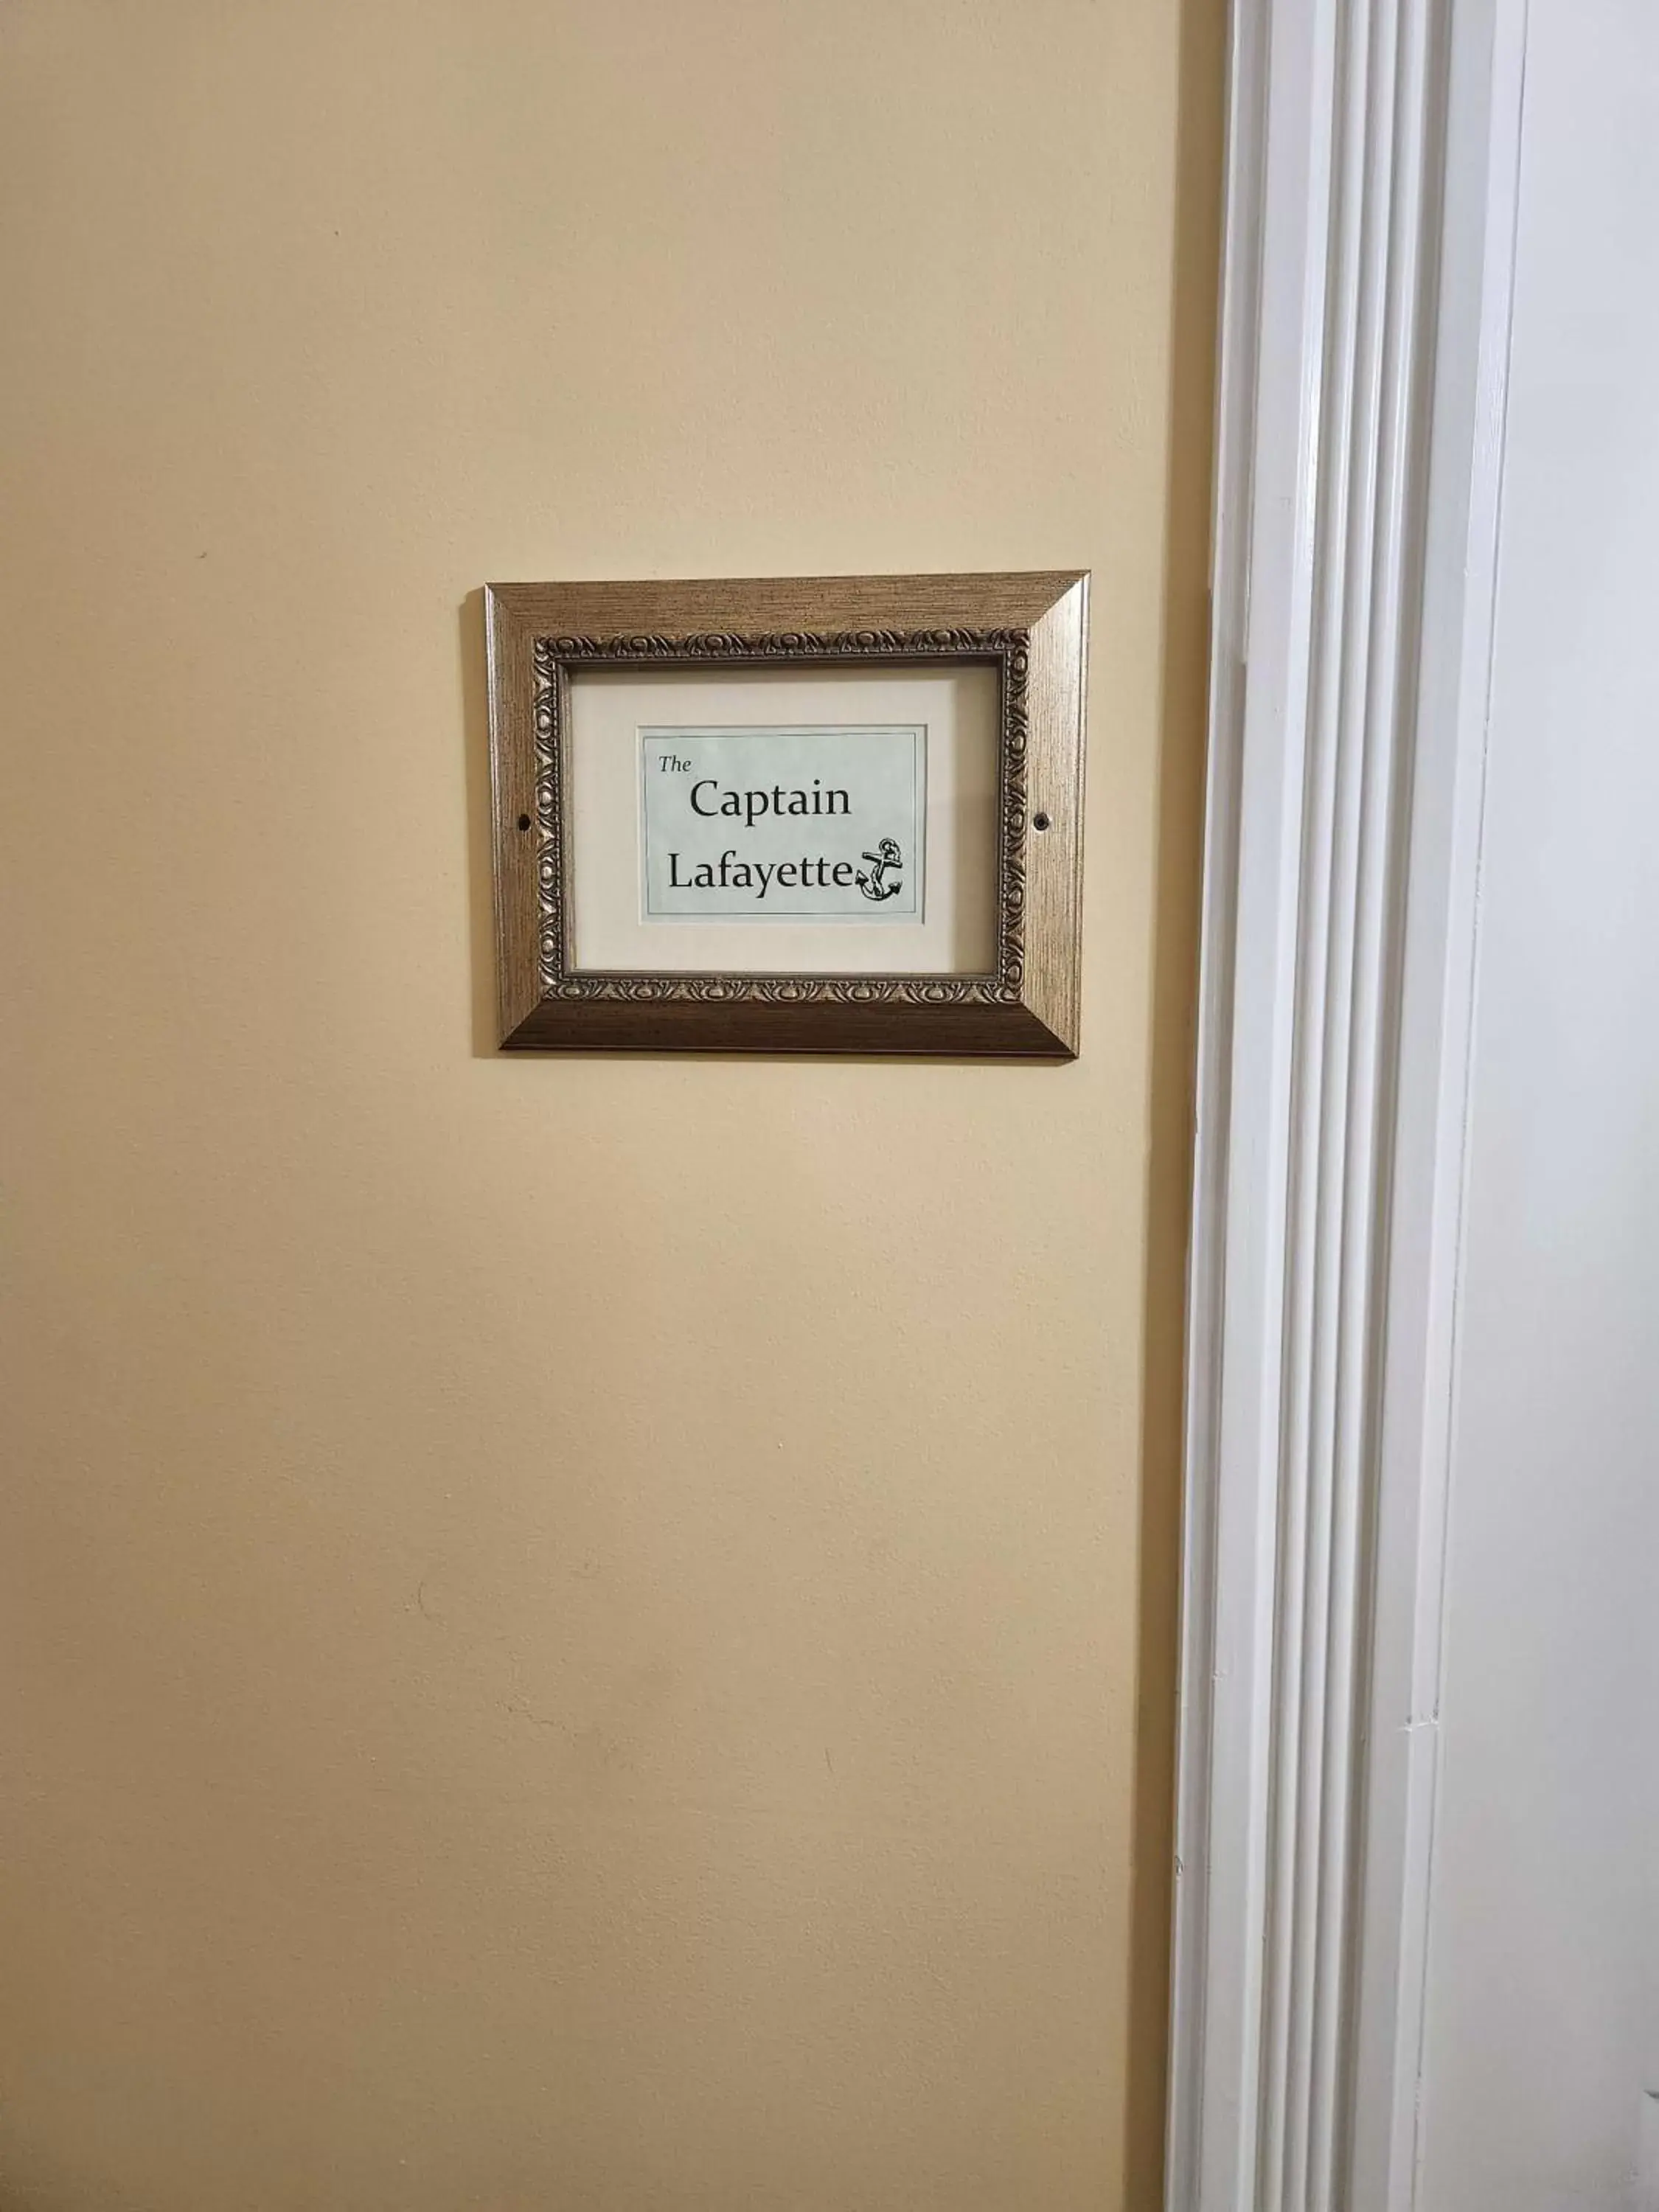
[828,815]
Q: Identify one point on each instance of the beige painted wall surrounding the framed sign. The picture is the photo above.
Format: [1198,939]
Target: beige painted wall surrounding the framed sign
[574,1634]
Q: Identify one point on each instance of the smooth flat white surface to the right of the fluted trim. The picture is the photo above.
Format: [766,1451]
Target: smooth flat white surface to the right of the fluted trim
[1543,2054]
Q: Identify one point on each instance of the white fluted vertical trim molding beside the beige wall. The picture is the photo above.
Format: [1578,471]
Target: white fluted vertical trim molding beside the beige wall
[1364,355]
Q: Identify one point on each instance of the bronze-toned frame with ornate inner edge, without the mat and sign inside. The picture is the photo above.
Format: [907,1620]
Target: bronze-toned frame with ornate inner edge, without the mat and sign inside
[1032,627]
